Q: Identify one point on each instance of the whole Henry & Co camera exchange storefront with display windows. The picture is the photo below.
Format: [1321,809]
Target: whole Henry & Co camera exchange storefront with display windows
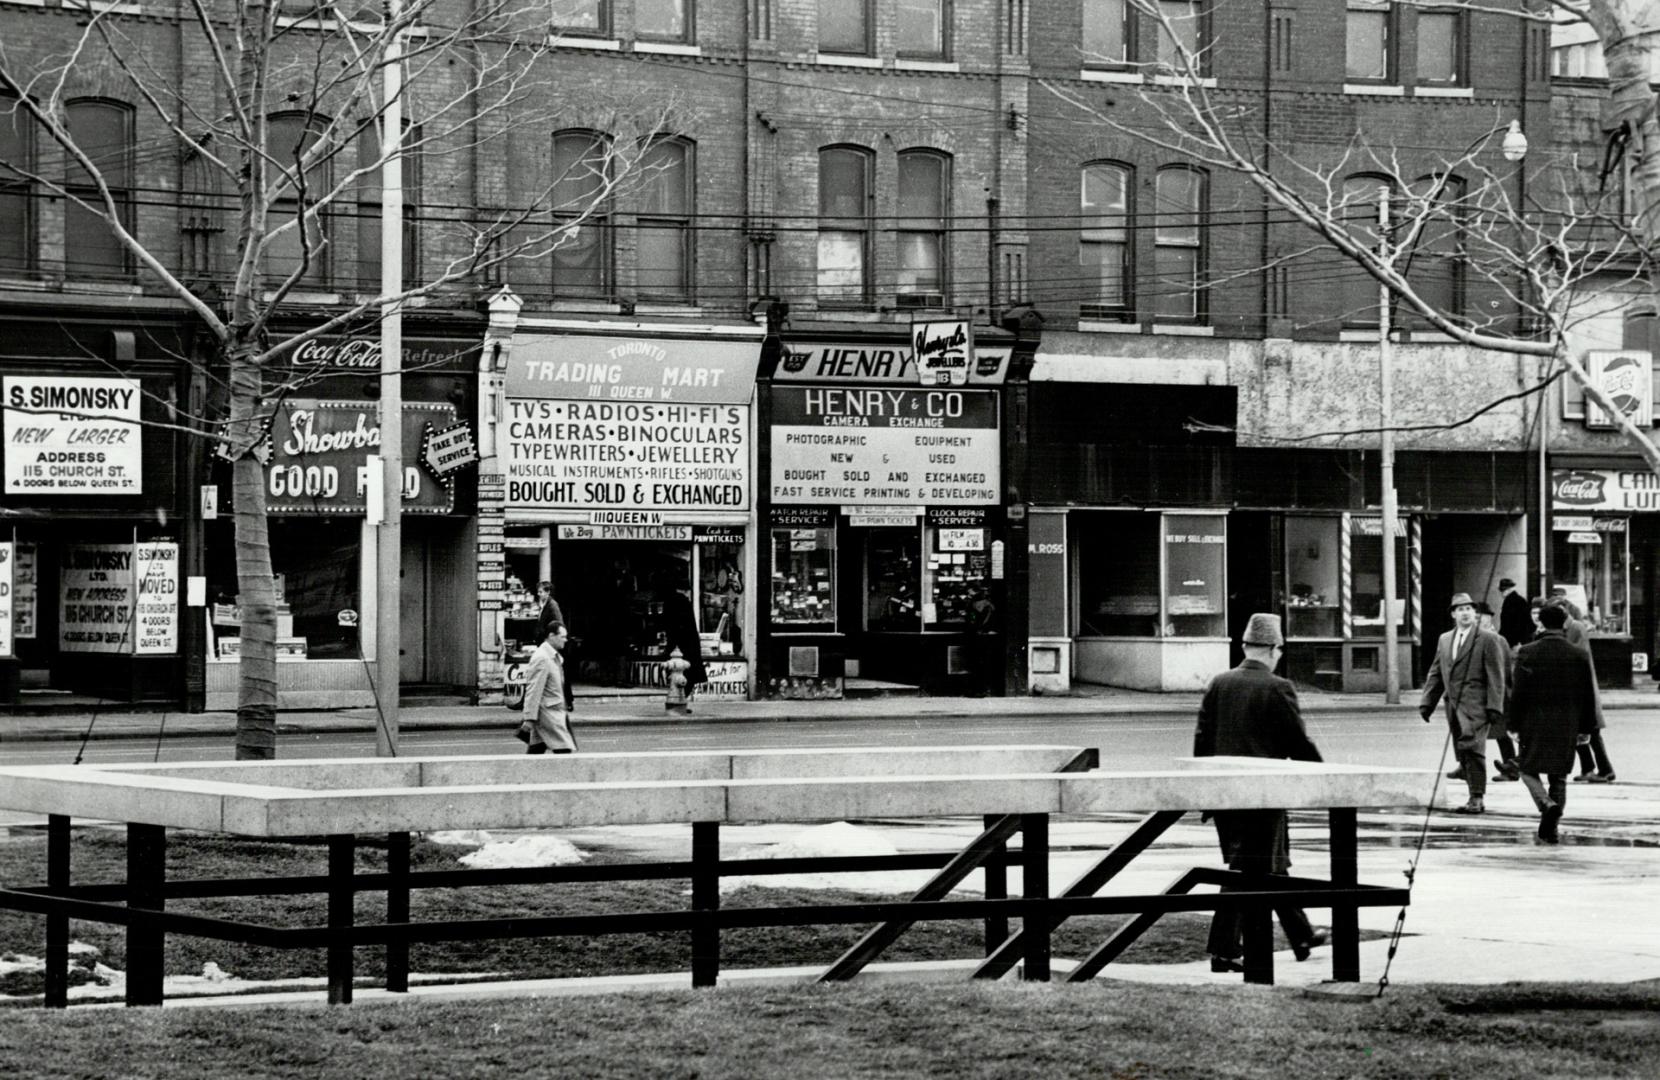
[886,555]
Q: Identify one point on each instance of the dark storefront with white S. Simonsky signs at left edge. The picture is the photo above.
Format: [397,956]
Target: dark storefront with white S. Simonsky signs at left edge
[94,517]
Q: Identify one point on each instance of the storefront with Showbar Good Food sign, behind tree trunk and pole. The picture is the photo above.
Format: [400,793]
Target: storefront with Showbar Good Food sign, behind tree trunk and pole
[325,542]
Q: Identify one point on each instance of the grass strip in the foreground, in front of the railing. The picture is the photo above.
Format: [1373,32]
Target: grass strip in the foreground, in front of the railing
[1002,1031]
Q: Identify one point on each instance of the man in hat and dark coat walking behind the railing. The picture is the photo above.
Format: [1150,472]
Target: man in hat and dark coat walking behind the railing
[1252,713]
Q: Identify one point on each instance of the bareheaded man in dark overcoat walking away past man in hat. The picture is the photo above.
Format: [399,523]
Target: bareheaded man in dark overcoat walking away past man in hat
[1553,709]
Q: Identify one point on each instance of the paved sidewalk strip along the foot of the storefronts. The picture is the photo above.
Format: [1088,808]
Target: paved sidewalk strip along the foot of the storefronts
[648,709]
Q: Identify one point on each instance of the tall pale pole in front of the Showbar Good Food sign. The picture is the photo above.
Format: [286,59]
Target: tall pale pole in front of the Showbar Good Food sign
[389,552]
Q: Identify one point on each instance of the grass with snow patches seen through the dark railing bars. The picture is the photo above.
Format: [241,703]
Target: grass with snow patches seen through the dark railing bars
[100,855]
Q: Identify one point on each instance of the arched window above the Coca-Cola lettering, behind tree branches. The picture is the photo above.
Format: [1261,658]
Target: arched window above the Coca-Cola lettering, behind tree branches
[296,185]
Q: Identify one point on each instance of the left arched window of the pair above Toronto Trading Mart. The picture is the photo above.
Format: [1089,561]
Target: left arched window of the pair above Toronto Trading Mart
[582,256]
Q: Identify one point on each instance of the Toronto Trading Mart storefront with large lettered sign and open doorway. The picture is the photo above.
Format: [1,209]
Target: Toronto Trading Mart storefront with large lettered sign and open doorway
[627,460]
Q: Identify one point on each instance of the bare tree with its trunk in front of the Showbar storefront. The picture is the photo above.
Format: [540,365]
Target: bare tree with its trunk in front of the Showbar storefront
[481,80]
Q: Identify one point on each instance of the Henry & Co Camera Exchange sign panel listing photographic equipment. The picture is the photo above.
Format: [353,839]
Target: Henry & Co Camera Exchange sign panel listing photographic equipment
[877,447]
